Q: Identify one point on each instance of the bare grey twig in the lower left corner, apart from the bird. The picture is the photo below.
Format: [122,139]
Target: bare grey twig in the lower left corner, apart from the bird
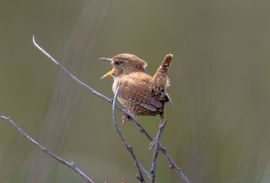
[69,164]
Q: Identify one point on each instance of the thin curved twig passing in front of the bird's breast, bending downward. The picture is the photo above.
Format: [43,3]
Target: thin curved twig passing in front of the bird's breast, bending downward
[124,141]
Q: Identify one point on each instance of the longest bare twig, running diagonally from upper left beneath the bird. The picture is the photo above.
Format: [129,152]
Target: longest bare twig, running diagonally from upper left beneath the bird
[164,151]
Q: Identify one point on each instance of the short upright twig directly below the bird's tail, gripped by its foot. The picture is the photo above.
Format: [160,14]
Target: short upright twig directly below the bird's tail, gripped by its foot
[156,149]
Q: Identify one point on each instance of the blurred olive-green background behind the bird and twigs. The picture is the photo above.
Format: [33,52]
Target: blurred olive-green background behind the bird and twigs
[218,126]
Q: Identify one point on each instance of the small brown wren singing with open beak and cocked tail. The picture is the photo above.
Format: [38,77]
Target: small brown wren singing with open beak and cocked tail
[138,92]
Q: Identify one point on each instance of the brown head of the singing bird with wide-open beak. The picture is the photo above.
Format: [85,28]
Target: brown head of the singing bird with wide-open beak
[124,64]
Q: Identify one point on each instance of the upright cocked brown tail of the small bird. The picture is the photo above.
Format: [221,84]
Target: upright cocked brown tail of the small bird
[160,79]
